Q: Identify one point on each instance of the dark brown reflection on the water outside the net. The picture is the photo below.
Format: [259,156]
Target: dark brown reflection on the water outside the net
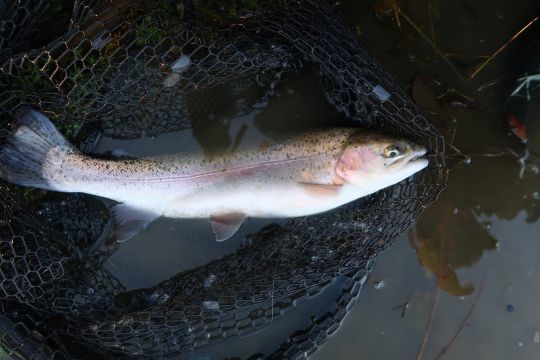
[472,118]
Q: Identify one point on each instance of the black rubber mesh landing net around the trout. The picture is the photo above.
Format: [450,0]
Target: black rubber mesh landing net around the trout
[128,68]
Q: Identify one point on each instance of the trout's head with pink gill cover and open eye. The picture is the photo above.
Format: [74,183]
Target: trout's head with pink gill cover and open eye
[374,161]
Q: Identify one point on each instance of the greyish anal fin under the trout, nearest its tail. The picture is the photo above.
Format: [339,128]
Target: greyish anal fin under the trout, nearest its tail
[129,221]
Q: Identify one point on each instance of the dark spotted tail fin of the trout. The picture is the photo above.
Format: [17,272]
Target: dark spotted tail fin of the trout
[26,150]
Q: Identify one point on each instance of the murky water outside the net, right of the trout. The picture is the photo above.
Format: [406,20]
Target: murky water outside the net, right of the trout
[480,241]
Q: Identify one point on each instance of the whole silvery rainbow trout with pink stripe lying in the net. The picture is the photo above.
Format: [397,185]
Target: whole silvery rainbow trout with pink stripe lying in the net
[308,174]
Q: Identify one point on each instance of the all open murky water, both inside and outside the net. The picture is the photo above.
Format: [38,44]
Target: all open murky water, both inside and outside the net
[470,267]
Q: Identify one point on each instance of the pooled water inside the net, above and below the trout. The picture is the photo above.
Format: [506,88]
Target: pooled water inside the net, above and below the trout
[220,119]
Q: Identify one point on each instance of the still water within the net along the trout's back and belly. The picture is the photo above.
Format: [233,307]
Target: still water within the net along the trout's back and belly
[181,244]
